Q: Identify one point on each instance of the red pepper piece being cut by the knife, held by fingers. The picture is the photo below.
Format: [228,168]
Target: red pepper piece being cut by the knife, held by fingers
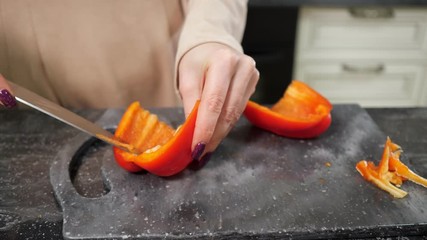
[164,151]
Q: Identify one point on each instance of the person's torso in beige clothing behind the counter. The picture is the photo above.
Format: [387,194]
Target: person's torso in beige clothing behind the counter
[99,53]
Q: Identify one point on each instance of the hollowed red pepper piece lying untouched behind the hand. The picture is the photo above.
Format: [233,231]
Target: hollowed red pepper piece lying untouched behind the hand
[300,113]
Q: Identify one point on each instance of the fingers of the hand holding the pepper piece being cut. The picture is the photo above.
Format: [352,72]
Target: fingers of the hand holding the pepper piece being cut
[228,86]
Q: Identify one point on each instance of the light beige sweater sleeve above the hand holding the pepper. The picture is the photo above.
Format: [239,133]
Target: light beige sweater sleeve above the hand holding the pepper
[221,21]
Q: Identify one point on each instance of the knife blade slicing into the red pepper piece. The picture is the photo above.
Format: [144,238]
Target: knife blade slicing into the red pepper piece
[52,109]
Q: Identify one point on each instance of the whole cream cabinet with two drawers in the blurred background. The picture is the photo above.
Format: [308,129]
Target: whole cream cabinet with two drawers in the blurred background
[374,57]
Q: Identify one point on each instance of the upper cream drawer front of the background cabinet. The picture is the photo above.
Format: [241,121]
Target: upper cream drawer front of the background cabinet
[336,33]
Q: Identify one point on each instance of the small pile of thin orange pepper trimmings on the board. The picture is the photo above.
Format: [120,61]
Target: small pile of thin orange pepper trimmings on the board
[391,172]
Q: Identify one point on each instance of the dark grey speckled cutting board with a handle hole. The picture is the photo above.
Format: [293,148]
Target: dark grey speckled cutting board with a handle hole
[256,184]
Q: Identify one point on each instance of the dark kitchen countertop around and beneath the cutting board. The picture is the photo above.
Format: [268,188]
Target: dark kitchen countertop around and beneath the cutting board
[29,142]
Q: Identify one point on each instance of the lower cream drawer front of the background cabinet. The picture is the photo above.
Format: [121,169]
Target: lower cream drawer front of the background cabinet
[368,84]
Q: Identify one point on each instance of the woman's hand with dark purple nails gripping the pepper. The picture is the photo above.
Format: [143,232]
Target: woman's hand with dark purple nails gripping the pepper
[223,79]
